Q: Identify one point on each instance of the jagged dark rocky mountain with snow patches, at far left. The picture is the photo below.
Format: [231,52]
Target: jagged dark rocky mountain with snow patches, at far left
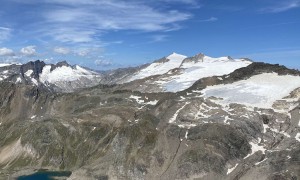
[60,76]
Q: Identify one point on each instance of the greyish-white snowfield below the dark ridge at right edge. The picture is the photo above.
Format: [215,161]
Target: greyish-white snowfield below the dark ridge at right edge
[258,91]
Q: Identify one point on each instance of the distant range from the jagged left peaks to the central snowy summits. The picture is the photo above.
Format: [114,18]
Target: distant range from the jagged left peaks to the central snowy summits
[170,74]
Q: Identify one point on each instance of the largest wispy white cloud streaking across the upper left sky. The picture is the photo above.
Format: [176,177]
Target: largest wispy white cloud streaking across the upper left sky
[74,21]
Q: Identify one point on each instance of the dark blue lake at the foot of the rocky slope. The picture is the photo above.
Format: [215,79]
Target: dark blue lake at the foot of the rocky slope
[45,175]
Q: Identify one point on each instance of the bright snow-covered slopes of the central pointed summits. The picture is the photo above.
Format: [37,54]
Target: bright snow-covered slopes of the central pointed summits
[177,72]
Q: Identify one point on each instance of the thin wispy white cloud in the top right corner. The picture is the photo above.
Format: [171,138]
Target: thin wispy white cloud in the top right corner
[281,6]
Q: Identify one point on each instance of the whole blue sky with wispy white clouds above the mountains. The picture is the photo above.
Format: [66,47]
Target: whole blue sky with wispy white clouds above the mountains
[105,34]
